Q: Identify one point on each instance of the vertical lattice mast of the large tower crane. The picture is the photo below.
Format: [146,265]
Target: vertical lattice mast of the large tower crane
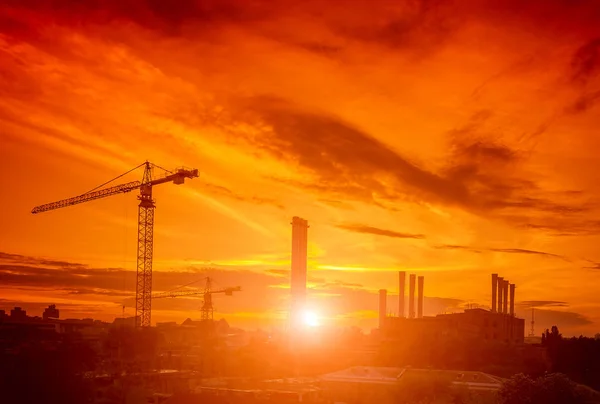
[143,295]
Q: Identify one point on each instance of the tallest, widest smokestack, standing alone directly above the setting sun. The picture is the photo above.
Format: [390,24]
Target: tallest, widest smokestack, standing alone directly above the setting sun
[298,276]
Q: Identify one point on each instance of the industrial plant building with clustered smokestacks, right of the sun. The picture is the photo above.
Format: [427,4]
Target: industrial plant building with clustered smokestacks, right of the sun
[498,324]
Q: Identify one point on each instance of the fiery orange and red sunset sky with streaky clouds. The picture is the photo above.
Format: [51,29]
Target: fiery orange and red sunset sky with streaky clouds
[450,139]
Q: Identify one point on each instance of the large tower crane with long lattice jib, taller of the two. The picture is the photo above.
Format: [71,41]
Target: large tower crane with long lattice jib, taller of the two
[143,293]
